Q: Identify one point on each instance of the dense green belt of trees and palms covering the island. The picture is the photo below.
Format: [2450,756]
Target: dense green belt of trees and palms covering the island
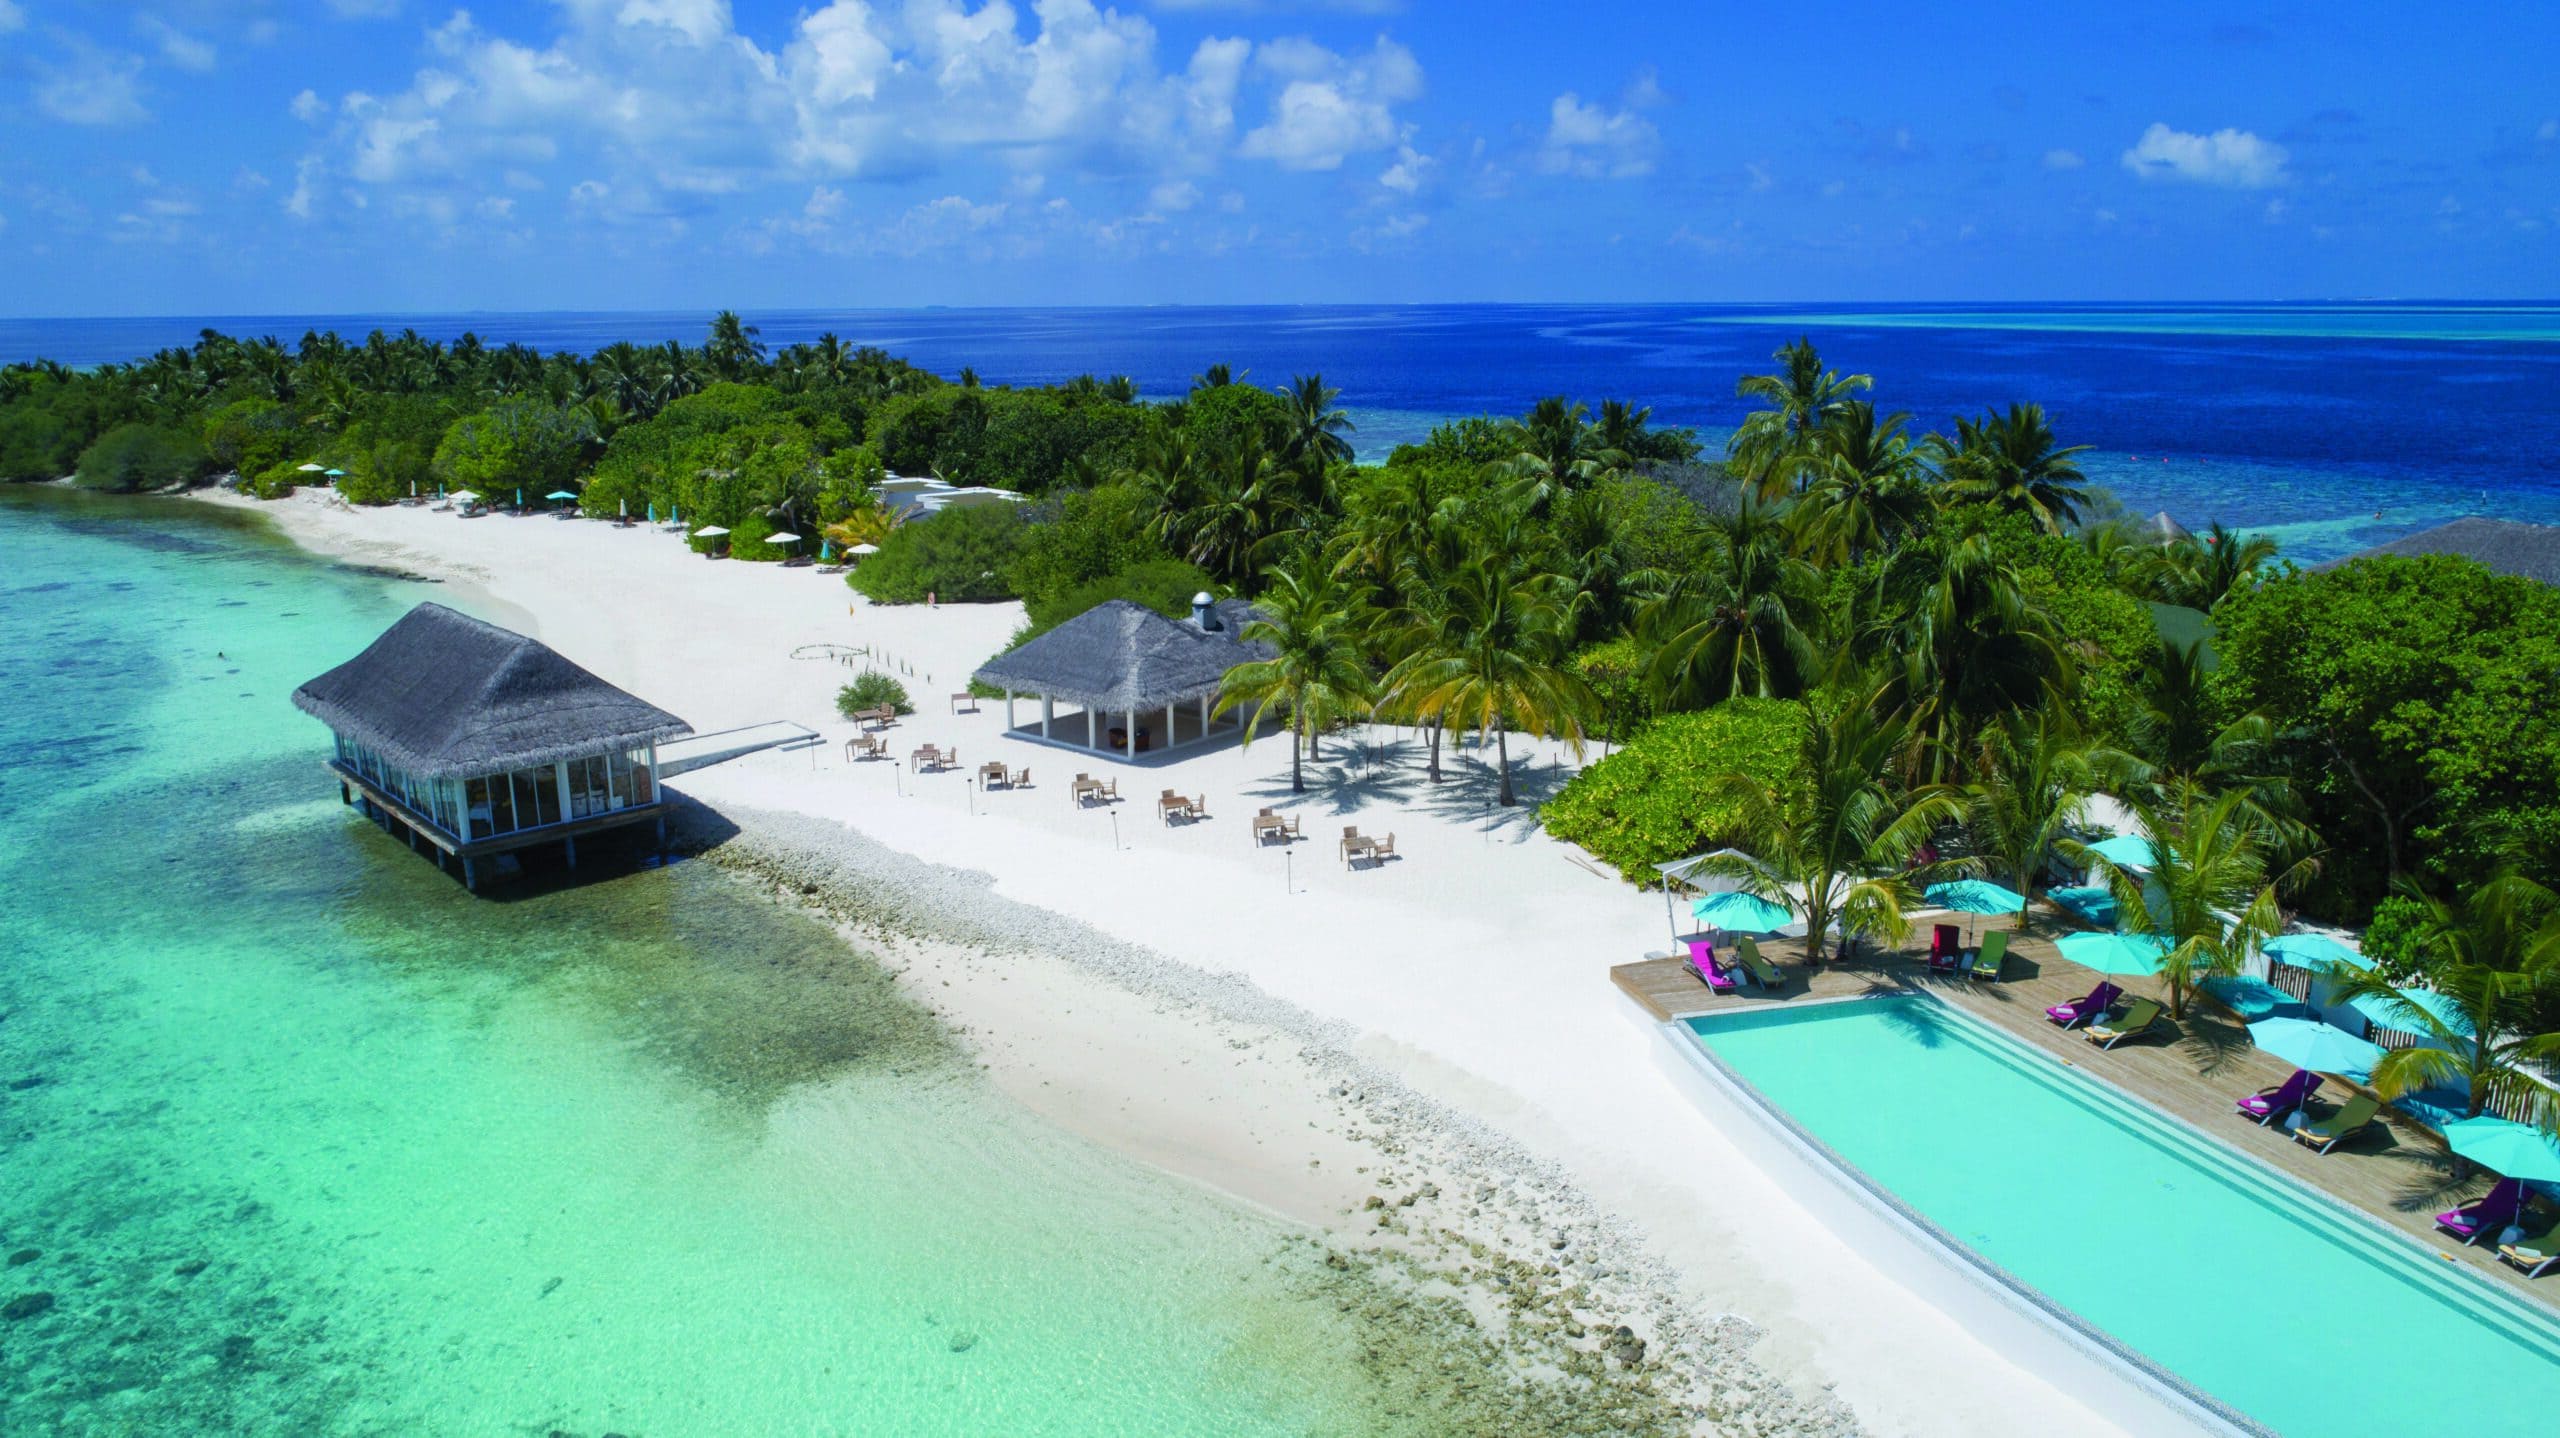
[1857,651]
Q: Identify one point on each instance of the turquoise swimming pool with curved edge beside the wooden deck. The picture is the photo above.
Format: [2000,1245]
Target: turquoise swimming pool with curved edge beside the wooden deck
[2216,1270]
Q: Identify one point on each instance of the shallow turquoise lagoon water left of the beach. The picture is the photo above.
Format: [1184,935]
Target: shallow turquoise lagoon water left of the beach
[306,1140]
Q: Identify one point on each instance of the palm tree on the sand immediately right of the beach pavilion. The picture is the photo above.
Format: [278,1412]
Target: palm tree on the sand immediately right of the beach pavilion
[1317,669]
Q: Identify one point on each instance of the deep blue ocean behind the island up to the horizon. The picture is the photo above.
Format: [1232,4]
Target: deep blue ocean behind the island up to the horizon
[2331,426]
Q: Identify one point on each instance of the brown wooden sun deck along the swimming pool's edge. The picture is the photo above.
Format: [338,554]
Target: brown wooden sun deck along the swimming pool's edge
[2193,1068]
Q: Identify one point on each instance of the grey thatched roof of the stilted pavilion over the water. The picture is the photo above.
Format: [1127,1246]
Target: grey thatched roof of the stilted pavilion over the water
[449,697]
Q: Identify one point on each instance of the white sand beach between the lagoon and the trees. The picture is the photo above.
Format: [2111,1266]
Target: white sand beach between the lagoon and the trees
[1473,968]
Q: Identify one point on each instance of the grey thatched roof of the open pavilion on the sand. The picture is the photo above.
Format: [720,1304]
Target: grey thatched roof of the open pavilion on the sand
[1123,656]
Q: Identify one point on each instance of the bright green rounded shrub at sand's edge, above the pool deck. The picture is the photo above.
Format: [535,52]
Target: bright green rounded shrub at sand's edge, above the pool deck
[1660,797]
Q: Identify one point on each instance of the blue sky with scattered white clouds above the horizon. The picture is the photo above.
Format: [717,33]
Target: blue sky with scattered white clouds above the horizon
[408,155]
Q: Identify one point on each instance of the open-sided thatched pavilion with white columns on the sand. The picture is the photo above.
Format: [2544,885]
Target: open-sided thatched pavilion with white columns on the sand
[1128,669]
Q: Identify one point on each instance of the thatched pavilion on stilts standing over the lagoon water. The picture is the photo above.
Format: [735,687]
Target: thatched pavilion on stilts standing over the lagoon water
[483,741]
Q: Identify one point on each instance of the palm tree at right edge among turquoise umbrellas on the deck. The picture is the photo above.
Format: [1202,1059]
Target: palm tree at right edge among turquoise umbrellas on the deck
[2497,958]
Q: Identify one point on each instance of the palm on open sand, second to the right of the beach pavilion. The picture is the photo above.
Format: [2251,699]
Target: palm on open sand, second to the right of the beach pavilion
[1496,659]
